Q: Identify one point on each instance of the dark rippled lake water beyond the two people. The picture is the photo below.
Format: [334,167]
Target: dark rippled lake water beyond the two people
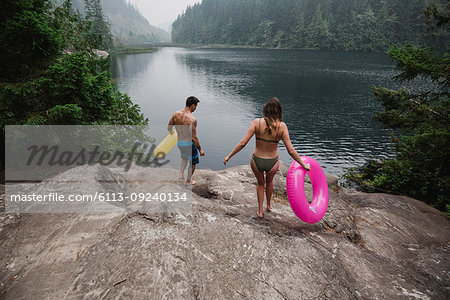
[327,102]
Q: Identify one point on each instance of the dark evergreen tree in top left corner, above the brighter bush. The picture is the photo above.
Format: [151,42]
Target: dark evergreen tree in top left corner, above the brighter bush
[29,40]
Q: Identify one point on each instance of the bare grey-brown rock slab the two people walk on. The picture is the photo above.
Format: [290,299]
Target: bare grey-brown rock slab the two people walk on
[368,246]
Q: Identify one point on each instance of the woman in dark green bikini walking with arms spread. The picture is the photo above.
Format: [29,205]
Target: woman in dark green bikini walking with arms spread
[269,130]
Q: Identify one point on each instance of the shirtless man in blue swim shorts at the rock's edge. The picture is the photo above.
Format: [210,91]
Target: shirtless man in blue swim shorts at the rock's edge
[187,137]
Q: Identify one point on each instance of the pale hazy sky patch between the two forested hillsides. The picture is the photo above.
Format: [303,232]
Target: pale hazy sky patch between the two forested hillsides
[161,12]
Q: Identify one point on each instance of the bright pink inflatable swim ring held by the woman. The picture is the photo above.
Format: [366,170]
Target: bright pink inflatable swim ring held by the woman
[295,187]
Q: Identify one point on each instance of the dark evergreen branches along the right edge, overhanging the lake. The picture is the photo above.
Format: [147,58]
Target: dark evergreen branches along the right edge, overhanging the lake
[421,165]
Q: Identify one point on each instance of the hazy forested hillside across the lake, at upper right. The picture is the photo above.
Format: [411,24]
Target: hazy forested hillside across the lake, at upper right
[366,25]
